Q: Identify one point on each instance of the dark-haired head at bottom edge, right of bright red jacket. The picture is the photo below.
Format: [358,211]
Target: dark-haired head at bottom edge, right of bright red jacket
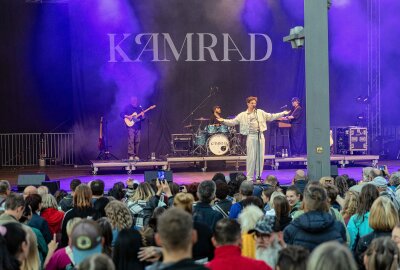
[292,258]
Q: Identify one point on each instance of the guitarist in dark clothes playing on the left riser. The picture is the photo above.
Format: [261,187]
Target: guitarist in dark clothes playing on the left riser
[134,131]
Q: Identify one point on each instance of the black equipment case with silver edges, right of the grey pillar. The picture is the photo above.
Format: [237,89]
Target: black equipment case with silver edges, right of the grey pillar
[351,139]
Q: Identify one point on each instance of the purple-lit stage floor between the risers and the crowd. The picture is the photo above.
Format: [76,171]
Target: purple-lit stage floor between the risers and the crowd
[182,175]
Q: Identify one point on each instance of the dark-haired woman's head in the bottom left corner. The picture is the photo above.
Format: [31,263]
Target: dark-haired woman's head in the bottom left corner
[16,242]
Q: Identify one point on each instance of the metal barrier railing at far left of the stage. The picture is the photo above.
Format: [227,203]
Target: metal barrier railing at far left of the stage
[25,149]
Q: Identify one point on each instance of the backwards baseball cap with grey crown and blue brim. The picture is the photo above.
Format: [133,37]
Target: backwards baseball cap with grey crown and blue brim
[86,240]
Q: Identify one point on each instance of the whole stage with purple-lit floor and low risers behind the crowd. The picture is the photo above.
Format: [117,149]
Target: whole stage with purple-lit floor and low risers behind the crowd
[187,170]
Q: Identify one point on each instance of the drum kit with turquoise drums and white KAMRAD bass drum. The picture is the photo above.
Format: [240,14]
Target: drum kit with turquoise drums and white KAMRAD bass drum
[215,140]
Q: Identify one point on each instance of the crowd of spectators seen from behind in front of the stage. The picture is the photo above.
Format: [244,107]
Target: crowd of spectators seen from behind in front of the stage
[330,223]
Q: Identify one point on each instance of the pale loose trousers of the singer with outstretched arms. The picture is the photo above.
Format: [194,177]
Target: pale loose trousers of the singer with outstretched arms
[255,155]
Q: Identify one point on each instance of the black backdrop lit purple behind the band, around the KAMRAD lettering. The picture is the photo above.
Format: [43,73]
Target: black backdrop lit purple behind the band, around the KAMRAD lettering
[55,74]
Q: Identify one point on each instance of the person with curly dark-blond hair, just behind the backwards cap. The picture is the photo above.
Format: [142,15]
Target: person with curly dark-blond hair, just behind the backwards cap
[119,216]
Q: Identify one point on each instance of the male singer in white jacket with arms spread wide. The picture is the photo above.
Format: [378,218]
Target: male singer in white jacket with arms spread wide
[253,124]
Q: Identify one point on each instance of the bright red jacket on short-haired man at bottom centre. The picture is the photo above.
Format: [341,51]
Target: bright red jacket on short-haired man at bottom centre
[230,257]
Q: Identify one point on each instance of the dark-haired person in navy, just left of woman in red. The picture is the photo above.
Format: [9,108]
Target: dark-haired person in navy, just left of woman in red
[36,221]
